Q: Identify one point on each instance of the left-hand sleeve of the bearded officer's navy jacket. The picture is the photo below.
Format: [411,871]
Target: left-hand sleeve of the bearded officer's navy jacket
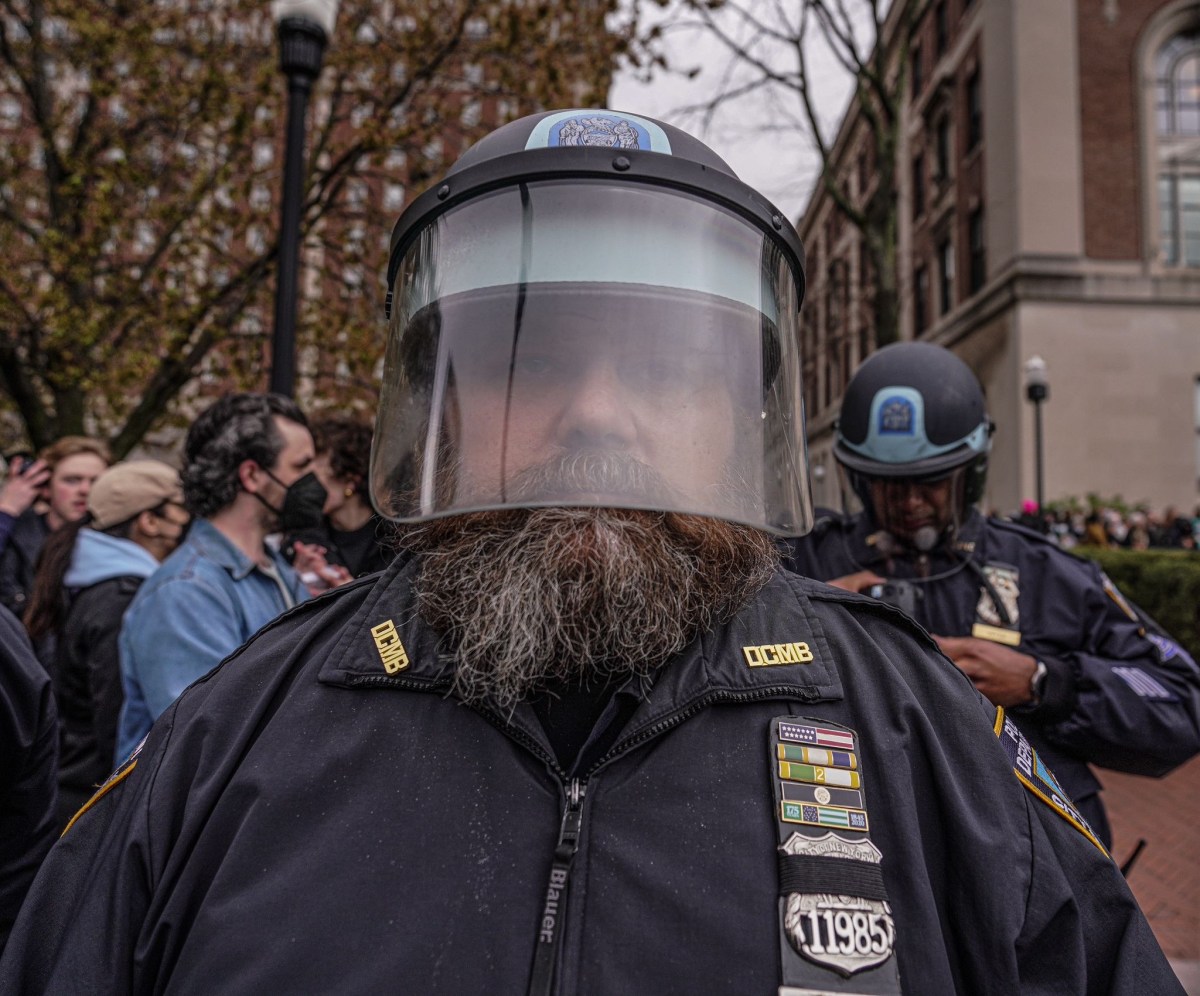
[107,911]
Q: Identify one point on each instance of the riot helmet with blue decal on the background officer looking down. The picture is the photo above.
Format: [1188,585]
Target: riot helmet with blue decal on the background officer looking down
[914,433]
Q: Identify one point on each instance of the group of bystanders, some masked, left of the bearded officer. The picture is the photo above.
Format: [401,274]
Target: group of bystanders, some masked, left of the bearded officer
[263,517]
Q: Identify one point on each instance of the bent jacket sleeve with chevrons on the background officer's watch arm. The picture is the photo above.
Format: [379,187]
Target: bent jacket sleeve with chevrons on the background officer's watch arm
[1125,699]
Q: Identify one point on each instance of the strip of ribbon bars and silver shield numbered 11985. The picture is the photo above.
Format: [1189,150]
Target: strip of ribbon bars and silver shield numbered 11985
[837,929]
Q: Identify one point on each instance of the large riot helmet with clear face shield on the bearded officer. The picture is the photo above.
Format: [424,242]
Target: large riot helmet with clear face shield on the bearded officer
[592,310]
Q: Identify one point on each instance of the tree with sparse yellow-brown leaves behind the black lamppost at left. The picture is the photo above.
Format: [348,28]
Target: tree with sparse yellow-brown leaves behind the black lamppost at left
[140,175]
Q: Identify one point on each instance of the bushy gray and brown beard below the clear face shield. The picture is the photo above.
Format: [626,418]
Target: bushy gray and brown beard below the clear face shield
[527,597]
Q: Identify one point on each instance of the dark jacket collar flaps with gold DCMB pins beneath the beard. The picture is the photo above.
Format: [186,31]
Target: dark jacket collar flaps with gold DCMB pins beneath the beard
[775,649]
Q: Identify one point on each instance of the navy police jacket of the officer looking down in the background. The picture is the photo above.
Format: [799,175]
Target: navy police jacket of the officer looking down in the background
[1118,694]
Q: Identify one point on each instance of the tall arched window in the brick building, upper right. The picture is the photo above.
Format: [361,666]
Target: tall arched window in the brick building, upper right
[1177,75]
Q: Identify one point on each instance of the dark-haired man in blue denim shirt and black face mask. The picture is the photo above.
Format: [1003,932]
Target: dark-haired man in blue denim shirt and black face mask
[248,475]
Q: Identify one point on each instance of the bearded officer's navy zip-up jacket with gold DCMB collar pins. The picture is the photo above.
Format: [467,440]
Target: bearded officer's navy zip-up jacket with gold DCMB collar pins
[320,814]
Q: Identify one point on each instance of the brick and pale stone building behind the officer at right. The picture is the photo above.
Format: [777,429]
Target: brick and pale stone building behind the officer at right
[1048,175]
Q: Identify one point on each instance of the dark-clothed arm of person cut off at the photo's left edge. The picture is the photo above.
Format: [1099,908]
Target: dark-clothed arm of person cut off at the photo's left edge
[29,751]
